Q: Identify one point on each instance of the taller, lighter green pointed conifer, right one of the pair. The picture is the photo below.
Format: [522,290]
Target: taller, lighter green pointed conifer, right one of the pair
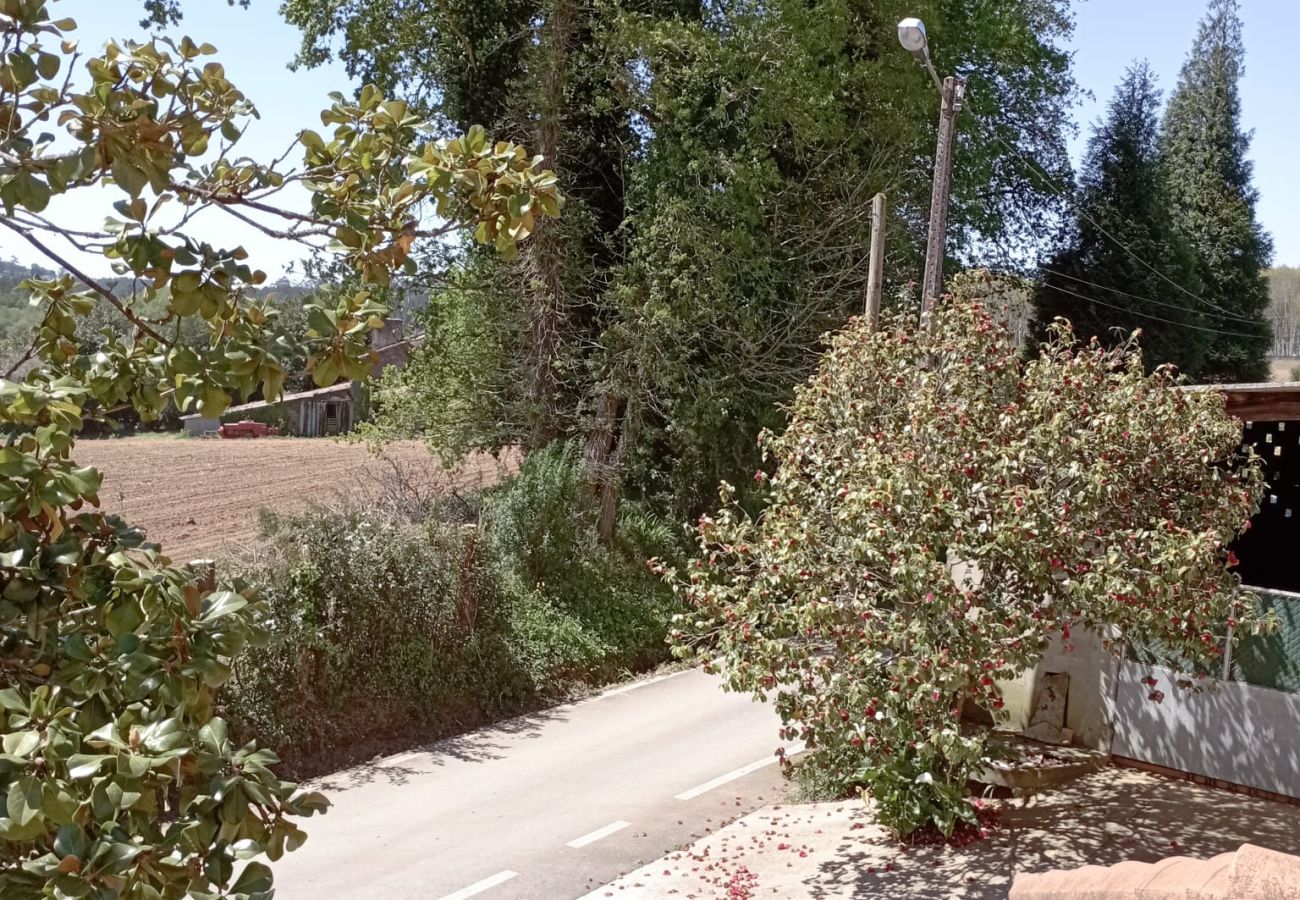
[1204,153]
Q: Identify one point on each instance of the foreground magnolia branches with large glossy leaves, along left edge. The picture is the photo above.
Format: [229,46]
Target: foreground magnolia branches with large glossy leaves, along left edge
[118,778]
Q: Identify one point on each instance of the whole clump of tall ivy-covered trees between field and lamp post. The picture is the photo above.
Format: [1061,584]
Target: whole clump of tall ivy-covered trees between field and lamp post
[721,161]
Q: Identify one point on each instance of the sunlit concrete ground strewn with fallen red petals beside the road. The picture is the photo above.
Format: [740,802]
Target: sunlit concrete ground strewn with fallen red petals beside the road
[837,851]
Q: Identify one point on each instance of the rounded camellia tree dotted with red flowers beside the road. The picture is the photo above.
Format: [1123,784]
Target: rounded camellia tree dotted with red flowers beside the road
[939,510]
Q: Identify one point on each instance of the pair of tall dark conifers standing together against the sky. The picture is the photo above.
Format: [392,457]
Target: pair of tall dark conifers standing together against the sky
[1164,237]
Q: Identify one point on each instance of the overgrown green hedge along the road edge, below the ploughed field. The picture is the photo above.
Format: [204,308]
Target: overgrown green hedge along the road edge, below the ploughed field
[384,625]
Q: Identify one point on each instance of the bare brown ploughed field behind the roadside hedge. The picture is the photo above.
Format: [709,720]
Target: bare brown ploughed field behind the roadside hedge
[201,497]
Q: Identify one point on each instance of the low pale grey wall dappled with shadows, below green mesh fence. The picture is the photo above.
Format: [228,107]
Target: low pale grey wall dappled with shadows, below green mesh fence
[1232,732]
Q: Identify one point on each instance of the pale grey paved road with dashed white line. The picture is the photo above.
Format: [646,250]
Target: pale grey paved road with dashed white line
[549,806]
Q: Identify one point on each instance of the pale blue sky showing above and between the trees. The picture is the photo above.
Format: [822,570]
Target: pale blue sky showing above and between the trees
[257,46]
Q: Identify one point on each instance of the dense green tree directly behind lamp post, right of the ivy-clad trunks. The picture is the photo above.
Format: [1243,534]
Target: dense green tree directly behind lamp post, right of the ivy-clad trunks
[773,127]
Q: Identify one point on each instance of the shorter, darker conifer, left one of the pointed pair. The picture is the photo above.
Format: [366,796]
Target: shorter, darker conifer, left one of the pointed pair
[1126,269]
